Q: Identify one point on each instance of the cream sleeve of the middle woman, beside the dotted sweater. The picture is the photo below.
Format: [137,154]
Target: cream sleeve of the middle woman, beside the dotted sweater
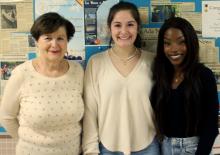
[90,121]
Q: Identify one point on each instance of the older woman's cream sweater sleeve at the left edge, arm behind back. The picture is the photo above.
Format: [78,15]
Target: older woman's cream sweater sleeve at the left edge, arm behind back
[10,103]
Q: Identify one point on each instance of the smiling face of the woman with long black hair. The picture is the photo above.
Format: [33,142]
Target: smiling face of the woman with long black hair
[174,46]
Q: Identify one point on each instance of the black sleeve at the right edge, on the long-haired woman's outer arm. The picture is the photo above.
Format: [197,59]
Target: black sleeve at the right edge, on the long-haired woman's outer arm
[209,127]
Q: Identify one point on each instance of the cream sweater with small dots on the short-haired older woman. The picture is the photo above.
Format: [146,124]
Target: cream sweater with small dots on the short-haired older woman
[44,113]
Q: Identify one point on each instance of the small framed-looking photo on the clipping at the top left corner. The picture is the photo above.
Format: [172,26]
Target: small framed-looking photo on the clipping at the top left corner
[8,17]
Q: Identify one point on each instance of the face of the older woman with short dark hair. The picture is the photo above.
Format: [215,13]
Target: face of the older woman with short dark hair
[53,46]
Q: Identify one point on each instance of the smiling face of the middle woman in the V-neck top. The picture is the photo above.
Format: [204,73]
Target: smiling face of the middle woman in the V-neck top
[124,29]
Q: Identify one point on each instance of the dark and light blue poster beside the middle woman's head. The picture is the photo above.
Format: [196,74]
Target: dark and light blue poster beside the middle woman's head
[96,29]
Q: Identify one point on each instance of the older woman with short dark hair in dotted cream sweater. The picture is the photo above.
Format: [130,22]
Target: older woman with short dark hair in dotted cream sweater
[42,104]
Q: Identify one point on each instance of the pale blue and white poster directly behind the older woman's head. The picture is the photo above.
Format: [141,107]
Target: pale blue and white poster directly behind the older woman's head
[72,10]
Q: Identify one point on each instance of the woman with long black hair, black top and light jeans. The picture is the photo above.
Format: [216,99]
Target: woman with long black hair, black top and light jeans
[184,95]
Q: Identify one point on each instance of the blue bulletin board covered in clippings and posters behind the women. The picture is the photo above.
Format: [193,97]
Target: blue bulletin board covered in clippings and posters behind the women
[92,34]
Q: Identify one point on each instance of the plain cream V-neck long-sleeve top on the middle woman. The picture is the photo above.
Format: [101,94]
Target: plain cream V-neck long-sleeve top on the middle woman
[118,112]
